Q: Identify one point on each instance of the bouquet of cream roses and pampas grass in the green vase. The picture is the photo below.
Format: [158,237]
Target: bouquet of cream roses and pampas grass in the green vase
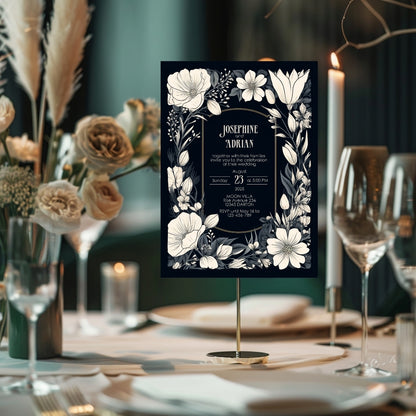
[51,176]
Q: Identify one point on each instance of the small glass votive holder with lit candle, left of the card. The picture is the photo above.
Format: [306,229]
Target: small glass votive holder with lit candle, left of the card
[120,282]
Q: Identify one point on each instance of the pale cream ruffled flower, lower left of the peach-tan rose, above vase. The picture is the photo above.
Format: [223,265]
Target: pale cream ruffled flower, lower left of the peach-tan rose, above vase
[58,207]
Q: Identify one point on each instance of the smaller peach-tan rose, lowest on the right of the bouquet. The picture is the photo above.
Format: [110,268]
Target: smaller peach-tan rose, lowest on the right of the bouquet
[101,197]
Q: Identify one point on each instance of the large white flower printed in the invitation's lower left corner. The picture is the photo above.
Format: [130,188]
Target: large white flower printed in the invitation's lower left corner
[183,233]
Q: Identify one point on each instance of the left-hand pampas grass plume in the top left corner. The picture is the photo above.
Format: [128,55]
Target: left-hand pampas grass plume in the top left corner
[21,34]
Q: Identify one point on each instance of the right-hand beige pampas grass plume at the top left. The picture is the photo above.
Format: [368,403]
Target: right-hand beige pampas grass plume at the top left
[64,50]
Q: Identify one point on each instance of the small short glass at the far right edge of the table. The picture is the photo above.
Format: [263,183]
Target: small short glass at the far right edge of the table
[405,347]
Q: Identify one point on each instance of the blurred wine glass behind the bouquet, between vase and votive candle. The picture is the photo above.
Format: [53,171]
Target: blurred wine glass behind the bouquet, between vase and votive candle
[81,240]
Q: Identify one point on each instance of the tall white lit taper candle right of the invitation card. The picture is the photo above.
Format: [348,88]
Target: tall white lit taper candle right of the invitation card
[336,80]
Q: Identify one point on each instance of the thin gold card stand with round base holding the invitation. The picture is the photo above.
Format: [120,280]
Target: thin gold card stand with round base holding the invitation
[238,356]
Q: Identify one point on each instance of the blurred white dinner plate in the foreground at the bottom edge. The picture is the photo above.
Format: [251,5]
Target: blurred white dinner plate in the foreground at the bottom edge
[279,393]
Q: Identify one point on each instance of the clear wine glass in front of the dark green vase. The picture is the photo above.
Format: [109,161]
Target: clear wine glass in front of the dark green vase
[31,285]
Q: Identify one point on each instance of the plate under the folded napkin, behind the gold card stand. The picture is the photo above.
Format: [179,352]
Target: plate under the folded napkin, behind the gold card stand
[315,317]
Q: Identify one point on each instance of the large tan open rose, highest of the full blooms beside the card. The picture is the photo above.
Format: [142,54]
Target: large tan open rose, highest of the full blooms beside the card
[104,144]
